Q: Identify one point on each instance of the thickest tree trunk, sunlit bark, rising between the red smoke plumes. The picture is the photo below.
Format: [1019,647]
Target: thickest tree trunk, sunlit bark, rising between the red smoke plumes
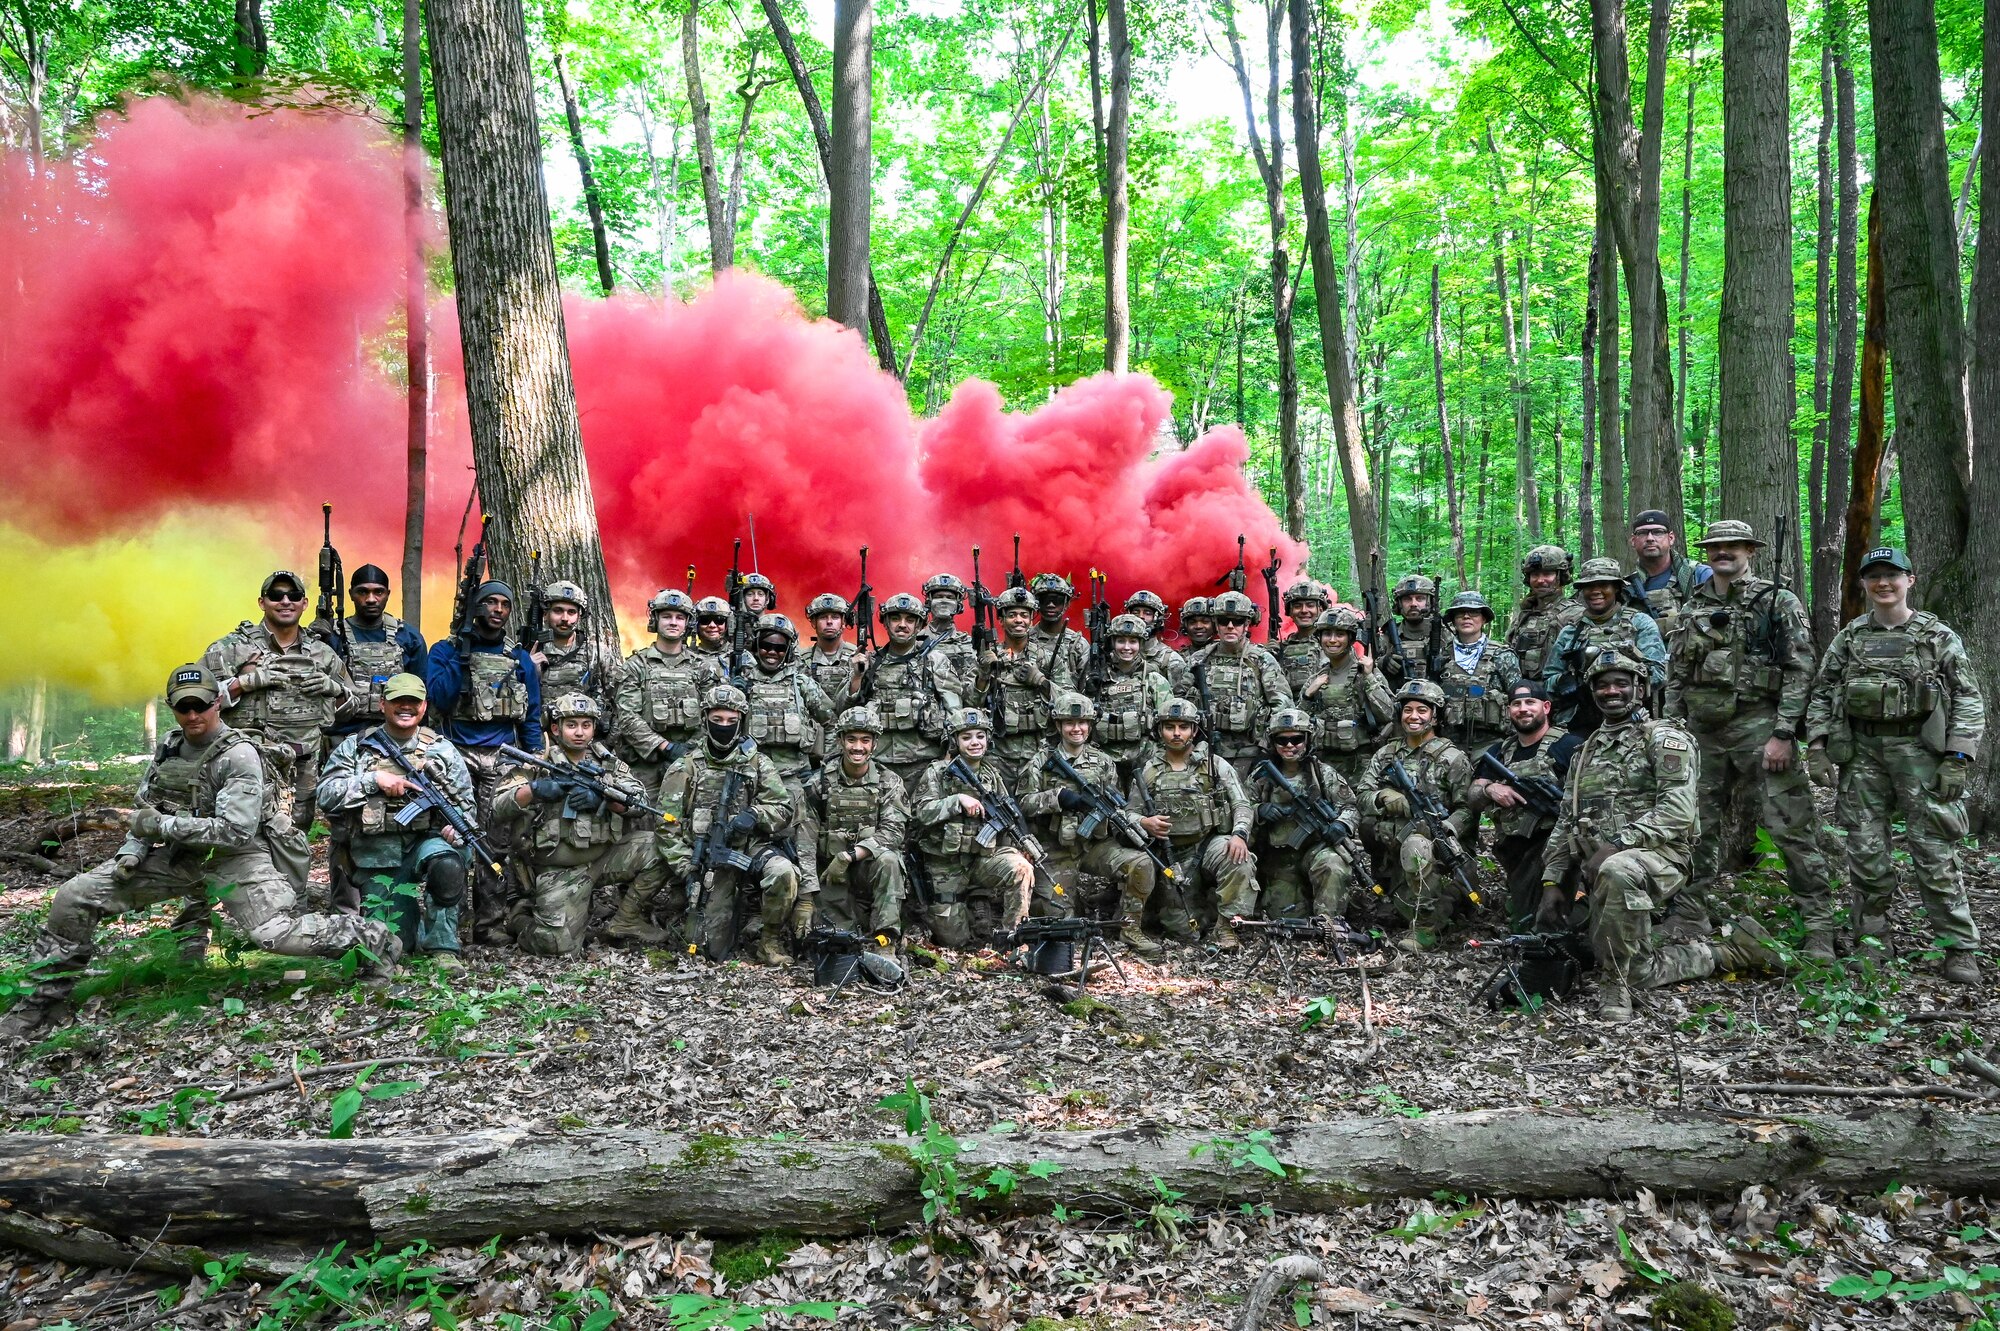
[521,401]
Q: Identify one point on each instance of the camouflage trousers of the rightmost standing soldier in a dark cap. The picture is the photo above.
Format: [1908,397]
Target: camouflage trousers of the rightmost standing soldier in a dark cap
[1889,776]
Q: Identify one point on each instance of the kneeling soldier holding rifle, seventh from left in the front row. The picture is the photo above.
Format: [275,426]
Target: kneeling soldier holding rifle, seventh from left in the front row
[1059,806]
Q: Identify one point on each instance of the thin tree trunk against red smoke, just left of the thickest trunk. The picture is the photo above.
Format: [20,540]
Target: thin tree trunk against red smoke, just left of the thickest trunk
[415,313]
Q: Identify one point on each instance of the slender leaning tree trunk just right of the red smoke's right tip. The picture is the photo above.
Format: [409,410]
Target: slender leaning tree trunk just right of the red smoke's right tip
[1335,359]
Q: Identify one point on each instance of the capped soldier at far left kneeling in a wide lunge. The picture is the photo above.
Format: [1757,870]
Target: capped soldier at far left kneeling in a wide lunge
[203,826]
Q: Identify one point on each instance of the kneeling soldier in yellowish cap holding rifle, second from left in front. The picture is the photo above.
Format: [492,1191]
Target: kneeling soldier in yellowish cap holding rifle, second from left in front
[363,790]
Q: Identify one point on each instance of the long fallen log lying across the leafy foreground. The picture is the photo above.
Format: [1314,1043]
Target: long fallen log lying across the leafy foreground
[469,1188]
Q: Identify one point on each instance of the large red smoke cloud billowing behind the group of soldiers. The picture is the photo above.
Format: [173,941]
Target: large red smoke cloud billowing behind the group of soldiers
[211,319]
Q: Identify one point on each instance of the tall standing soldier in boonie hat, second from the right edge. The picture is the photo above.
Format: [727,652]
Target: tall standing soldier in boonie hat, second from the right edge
[1739,680]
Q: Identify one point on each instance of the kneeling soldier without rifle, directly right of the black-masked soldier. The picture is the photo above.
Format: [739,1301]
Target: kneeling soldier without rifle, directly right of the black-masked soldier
[855,816]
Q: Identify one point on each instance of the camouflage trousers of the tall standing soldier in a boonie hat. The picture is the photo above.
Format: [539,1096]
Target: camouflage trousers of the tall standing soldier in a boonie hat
[1733,776]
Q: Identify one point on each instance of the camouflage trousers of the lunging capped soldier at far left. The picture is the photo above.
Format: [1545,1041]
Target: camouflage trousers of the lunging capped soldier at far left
[253,892]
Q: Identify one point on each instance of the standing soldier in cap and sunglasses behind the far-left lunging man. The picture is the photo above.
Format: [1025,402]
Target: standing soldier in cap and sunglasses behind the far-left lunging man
[281,690]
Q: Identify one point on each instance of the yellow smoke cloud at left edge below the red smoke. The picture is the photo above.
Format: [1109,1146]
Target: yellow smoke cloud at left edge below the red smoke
[111,619]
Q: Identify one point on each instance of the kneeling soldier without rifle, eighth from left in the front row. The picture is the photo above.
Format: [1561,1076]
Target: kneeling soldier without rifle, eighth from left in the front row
[1197,804]
